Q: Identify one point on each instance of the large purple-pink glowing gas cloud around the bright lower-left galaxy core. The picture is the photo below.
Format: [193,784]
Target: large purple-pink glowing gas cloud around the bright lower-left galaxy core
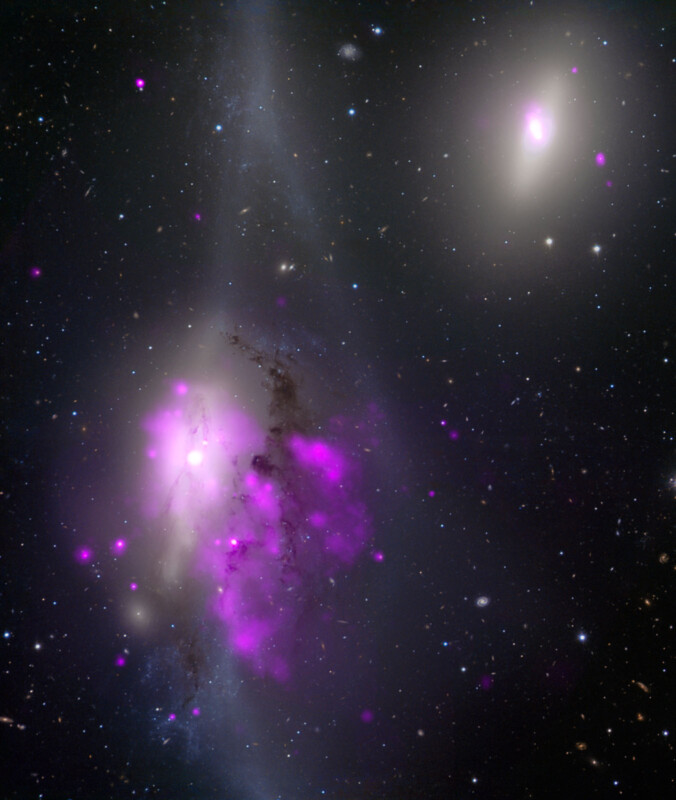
[263,518]
